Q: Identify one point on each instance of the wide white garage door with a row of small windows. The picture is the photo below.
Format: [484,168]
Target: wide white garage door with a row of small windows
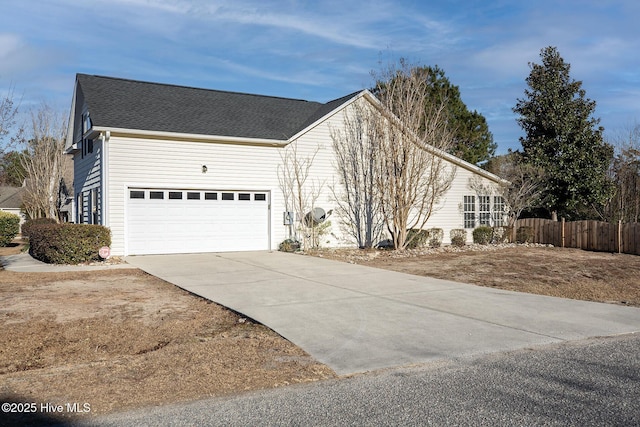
[167,221]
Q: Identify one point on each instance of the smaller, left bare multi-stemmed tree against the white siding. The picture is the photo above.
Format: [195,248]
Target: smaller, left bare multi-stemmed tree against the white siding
[357,197]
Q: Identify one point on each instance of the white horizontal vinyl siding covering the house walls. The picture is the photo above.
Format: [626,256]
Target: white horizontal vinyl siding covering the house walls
[161,164]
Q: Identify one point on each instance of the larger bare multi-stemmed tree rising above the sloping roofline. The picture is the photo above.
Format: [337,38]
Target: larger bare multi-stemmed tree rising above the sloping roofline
[413,138]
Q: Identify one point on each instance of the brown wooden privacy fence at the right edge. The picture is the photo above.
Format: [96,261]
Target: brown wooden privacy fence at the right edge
[587,235]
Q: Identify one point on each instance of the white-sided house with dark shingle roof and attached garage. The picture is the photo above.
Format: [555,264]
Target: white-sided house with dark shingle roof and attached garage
[172,169]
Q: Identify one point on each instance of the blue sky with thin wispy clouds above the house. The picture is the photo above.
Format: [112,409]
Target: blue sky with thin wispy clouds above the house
[321,50]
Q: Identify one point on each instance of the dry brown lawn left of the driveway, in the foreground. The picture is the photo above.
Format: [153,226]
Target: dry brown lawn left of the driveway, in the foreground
[121,339]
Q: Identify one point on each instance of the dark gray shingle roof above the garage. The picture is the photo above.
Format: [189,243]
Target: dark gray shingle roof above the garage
[130,104]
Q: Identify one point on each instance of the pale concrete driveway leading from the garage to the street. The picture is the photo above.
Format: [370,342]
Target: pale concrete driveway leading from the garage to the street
[356,319]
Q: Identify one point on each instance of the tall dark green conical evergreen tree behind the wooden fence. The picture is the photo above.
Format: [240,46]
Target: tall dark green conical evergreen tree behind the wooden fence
[563,139]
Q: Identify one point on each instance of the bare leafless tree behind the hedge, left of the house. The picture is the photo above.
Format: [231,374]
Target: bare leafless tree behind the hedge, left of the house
[44,162]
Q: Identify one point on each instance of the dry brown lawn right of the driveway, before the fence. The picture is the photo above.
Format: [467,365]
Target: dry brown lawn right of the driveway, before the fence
[567,273]
